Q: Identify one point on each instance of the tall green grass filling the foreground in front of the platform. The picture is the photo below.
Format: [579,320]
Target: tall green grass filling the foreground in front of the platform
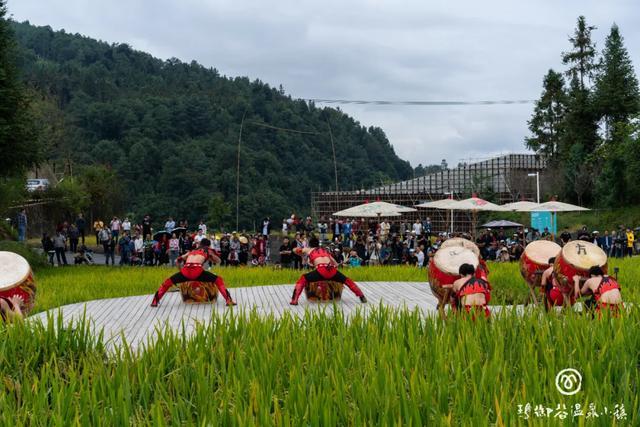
[392,368]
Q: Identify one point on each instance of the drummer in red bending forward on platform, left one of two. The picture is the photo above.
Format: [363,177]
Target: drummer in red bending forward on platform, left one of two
[192,270]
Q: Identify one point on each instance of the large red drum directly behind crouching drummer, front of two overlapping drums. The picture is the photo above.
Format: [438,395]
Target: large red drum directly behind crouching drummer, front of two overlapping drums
[445,265]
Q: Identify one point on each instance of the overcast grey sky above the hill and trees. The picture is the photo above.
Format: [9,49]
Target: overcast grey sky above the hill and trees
[371,50]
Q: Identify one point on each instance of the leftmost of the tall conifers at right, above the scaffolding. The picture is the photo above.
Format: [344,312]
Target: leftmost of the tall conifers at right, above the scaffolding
[548,115]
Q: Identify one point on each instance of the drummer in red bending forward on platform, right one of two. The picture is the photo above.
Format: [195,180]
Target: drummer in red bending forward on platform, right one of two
[325,269]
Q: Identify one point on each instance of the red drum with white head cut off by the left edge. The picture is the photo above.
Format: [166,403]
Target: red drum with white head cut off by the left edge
[16,279]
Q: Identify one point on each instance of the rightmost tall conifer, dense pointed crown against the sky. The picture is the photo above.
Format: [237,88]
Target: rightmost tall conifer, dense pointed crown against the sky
[617,97]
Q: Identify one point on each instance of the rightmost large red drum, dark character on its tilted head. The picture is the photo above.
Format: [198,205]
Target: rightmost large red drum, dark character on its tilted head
[576,258]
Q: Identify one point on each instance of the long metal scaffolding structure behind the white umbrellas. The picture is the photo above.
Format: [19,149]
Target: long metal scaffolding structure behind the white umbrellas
[501,179]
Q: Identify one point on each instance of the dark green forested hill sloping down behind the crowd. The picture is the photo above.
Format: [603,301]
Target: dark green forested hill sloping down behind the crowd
[170,129]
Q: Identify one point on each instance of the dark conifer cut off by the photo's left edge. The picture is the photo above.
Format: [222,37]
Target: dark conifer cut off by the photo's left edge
[18,144]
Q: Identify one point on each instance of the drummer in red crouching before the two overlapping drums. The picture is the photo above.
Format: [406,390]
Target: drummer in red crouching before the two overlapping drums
[471,292]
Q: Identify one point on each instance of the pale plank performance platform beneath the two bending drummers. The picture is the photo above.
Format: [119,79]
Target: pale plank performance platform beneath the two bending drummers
[137,321]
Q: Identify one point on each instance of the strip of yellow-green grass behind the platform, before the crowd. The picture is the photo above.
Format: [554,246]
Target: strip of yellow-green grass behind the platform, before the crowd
[60,286]
